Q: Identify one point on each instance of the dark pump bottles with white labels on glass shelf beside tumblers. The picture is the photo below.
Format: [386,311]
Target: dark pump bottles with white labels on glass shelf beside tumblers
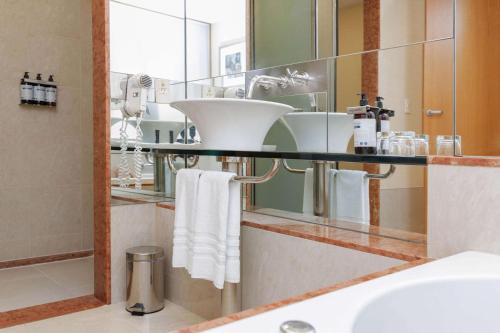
[369,124]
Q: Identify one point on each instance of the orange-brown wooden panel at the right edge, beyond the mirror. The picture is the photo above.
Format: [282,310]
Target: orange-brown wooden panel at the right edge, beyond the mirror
[478,68]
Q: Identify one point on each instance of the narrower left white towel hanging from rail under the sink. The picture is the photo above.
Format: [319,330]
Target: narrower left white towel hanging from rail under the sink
[185,202]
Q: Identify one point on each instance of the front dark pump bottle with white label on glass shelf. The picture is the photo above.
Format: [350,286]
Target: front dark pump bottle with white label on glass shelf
[365,127]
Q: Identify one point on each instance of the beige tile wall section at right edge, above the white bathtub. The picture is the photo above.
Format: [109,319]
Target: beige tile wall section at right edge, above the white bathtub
[463,209]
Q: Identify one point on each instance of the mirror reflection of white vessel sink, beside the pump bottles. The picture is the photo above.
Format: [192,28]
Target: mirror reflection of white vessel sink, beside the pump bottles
[309,130]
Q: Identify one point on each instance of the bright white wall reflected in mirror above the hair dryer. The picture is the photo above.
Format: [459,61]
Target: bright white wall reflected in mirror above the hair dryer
[145,38]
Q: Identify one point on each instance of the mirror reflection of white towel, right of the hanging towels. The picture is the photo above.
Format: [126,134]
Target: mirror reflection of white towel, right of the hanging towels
[350,196]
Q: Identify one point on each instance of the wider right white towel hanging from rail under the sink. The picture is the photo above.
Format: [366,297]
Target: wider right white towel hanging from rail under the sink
[213,242]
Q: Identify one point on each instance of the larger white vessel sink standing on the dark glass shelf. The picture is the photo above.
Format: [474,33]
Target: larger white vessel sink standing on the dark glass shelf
[232,124]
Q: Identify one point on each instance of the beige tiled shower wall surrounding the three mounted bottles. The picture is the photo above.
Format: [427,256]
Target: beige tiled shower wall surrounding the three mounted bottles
[46,163]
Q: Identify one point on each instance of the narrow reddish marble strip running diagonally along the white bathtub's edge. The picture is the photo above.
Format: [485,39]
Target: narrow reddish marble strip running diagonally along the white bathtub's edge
[264,308]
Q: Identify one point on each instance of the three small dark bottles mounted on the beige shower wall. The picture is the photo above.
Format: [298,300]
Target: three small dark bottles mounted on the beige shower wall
[38,91]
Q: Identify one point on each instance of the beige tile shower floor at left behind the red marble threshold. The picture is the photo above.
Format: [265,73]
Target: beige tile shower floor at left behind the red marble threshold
[44,283]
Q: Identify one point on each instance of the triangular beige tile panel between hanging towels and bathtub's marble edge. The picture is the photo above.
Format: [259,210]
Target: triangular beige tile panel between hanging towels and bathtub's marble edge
[276,266]
